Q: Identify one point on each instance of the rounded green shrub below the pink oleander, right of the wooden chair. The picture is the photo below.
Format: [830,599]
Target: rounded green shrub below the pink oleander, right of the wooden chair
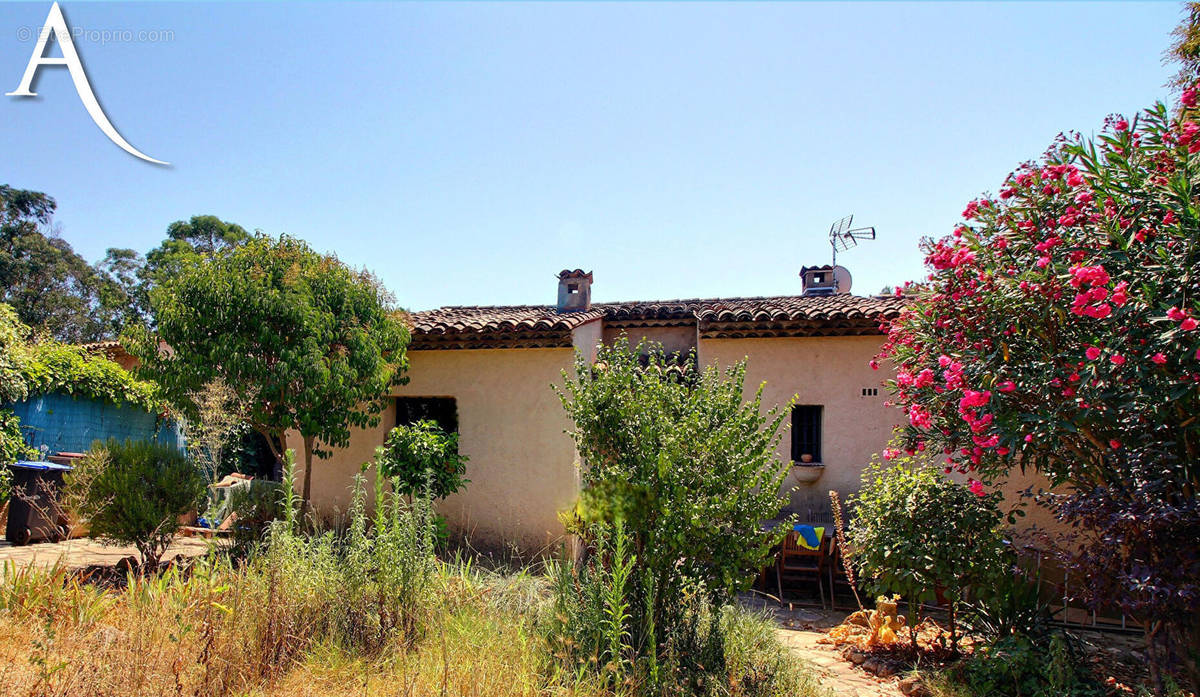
[916,532]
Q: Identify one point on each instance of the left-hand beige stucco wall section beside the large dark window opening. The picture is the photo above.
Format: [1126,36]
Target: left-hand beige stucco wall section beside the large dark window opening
[511,426]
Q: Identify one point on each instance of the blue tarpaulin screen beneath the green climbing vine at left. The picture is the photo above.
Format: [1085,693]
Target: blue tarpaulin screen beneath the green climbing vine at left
[65,424]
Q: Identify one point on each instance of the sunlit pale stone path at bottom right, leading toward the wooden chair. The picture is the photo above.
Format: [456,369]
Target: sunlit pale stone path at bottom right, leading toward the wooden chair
[800,630]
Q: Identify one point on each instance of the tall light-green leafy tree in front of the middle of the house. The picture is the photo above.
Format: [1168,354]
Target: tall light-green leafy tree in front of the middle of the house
[679,460]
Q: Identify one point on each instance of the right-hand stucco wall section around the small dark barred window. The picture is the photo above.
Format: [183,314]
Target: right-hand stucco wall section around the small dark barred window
[827,371]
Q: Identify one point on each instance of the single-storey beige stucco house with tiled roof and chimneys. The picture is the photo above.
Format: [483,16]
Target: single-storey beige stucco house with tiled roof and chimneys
[488,374]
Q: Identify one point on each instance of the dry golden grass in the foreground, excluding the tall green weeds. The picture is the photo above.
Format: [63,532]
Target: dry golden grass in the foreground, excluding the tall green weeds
[223,632]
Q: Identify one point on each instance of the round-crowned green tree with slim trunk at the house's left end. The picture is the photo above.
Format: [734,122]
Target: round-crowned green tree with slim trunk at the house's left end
[307,344]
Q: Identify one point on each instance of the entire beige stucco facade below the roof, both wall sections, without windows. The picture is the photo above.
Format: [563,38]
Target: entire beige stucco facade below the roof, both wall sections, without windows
[524,467]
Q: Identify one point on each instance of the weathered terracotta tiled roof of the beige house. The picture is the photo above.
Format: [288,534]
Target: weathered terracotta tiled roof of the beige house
[543,326]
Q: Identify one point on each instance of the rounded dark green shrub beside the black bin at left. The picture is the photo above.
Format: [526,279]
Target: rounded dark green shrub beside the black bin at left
[134,494]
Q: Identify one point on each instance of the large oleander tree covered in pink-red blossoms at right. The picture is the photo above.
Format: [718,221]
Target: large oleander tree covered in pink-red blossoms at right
[1058,332]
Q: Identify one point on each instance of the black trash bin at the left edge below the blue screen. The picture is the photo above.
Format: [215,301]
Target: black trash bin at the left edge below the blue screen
[34,509]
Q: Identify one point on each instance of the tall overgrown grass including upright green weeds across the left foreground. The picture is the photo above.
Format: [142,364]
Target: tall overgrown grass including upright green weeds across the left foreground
[367,611]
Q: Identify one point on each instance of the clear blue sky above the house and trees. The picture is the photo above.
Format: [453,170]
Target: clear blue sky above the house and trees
[469,152]
